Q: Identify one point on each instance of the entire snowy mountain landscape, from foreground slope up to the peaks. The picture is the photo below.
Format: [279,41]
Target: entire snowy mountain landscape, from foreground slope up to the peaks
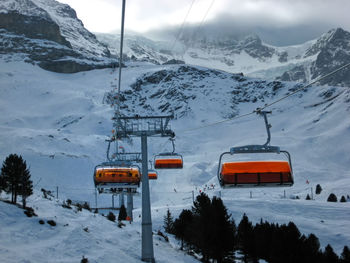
[59,123]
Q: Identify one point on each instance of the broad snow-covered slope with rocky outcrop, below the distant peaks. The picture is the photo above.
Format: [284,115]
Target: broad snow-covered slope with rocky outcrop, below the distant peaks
[59,124]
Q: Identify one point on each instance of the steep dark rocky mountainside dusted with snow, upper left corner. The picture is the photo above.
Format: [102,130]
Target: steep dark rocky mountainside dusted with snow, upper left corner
[50,34]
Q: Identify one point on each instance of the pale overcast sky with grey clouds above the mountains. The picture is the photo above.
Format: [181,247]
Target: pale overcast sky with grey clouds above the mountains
[300,17]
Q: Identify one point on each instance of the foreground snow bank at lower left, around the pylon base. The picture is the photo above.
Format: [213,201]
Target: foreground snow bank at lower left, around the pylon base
[75,235]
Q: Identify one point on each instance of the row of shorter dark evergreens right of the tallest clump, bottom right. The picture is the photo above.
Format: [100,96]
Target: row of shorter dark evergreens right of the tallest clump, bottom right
[282,243]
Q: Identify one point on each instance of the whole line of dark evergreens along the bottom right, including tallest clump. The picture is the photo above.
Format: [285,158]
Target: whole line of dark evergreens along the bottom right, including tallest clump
[209,230]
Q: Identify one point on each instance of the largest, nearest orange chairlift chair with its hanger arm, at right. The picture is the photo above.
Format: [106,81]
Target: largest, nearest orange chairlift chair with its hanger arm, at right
[256,173]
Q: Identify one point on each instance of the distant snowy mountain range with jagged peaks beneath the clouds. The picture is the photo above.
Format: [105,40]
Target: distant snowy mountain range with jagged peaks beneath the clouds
[248,54]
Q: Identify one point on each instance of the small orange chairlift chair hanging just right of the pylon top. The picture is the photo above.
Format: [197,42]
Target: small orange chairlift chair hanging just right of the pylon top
[168,160]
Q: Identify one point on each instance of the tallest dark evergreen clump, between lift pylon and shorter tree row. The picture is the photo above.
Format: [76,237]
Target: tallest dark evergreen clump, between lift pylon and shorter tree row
[206,228]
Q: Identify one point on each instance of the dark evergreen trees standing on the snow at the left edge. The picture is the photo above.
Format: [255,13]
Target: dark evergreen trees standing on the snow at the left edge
[15,178]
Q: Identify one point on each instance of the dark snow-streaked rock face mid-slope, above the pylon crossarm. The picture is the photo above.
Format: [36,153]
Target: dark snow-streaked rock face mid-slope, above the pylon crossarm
[174,90]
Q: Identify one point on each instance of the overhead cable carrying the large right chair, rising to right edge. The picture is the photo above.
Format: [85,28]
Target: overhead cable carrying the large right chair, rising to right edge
[269,104]
